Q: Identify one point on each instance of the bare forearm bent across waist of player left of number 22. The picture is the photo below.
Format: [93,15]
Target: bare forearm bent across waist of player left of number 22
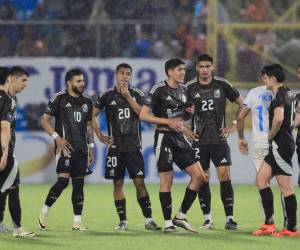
[147,116]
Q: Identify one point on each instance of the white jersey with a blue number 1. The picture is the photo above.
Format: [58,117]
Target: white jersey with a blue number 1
[258,100]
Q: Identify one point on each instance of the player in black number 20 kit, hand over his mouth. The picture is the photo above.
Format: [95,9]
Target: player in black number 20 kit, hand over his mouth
[122,106]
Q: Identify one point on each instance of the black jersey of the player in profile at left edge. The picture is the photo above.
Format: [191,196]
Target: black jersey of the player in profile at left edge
[8,113]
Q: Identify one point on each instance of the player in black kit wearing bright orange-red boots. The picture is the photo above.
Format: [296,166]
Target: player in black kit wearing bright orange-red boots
[278,162]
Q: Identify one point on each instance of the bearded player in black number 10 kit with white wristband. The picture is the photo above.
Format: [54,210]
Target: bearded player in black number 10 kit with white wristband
[74,143]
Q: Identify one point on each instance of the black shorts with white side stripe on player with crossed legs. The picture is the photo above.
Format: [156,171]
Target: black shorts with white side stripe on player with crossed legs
[172,146]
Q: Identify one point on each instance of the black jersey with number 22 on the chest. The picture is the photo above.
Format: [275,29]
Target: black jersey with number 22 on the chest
[210,108]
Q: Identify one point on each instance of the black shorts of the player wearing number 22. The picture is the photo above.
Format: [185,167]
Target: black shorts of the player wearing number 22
[219,154]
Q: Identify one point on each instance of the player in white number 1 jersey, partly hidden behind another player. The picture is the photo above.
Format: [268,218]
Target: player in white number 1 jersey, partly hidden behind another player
[258,102]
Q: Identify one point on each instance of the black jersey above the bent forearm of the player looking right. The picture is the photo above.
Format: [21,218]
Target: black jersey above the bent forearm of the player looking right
[168,102]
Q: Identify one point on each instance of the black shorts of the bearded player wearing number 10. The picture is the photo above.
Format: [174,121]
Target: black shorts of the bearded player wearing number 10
[75,164]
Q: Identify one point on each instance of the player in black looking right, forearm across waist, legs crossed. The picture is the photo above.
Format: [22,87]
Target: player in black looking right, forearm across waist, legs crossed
[168,102]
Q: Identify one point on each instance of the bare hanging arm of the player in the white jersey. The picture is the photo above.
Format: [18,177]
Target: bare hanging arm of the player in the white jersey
[243,145]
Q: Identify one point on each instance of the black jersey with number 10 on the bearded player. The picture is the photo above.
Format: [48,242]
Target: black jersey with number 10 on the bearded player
[71,116]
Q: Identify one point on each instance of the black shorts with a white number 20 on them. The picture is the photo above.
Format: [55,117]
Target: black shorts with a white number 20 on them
[118,162]
